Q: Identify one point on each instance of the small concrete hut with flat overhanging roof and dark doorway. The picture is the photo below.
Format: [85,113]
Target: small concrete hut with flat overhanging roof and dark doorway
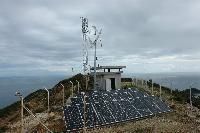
[108,77]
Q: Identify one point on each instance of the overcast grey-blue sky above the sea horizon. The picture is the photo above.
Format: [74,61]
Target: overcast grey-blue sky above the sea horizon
[148,36]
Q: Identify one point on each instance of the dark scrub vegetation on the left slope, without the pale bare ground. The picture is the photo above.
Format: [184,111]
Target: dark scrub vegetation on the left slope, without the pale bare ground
[37,102]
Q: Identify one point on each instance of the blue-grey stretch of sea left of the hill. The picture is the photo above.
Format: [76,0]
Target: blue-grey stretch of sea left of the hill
[26,85]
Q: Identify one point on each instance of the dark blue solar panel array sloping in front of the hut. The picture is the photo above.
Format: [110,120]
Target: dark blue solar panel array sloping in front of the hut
[108,107]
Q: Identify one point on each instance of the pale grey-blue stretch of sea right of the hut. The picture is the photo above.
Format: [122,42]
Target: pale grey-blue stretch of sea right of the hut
[180,80]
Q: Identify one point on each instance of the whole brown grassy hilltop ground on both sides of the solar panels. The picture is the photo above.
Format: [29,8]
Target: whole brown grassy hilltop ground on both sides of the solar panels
[182,119]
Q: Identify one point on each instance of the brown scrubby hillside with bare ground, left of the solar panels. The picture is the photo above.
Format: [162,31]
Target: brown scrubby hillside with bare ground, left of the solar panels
[37,103]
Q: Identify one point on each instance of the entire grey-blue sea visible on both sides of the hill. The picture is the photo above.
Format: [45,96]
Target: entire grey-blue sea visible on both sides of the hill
[26,85]
